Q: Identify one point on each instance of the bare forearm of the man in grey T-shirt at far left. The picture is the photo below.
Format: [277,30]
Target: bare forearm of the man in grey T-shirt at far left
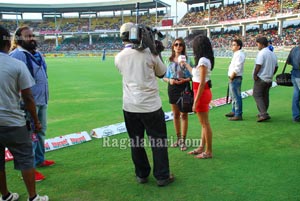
[30,107]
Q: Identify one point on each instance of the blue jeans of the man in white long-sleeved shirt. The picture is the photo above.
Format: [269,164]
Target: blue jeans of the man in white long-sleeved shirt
[235,94]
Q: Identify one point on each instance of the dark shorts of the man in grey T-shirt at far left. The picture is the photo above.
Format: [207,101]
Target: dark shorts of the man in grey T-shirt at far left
[19,143]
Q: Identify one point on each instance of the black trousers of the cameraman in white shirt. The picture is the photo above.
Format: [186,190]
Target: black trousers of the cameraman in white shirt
[155,126]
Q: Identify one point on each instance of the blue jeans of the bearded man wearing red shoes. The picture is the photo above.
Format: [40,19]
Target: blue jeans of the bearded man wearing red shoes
[40,145]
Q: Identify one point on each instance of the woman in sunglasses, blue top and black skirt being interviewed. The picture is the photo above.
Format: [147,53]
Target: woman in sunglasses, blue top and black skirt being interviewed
[178,78]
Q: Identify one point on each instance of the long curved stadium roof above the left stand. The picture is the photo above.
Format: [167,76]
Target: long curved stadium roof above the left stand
[82,7]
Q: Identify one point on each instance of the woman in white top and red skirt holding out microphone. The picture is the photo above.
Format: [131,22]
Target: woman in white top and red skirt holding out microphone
[204,57]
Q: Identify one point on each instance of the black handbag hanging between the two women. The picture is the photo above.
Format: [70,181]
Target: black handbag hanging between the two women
[186,100]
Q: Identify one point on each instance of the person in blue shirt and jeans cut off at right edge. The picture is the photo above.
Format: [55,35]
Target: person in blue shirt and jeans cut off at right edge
[294,60]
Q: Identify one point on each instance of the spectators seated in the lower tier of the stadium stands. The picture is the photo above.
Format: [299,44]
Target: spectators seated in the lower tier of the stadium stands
[219,40]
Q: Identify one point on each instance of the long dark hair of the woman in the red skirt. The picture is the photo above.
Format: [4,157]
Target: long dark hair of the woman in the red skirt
[202,48]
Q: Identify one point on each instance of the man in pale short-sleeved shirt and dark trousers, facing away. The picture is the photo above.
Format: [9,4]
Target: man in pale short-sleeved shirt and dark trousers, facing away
[265,68]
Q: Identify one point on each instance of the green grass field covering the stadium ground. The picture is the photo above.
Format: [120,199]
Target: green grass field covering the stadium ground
[252,161]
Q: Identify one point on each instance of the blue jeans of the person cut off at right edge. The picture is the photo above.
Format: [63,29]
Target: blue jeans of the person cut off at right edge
[296,98]
